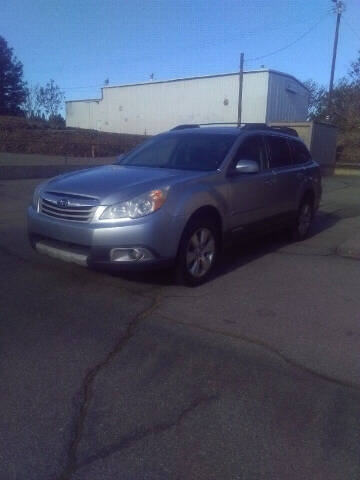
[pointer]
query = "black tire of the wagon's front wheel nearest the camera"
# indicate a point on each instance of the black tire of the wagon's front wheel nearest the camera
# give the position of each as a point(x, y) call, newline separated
point(185, 271)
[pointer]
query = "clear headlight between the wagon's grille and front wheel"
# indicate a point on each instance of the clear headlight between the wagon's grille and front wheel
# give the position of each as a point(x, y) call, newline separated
point(137, 207)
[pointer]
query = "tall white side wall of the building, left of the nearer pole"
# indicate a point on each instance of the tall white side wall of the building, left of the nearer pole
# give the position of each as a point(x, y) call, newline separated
point(156, 107)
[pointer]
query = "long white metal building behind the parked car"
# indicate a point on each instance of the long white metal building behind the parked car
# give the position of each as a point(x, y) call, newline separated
point(153, 107)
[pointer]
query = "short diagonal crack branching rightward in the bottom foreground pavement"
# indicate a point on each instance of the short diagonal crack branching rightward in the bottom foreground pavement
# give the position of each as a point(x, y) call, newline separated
point(128, 440)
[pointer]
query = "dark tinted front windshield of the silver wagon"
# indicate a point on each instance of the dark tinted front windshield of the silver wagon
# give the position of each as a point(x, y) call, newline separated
point(182, 152)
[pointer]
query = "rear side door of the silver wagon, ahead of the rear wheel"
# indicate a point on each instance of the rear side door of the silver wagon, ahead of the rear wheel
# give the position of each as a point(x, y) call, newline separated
point(287, 176)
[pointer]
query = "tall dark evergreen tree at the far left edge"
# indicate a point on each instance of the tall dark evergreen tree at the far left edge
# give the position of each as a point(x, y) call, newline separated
point(13, 89)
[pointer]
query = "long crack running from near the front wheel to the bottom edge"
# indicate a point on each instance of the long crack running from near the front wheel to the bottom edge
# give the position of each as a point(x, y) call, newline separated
point(87, 385)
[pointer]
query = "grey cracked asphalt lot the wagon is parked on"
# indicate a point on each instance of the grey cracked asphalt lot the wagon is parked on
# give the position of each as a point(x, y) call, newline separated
point(254, 375)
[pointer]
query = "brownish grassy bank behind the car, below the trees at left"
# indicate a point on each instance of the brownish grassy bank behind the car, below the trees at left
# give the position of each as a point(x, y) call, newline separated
point(20, 135)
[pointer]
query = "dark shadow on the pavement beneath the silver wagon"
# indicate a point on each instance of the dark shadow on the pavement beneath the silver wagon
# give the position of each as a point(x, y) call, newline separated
point(235, 255)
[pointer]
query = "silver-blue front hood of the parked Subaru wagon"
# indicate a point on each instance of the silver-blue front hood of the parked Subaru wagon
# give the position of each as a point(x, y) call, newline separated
point(116, 183)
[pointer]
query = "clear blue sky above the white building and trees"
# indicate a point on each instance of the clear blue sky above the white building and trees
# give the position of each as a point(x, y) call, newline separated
point(80, 43)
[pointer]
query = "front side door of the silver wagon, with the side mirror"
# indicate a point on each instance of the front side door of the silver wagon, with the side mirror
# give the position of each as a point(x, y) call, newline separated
point(252, 194)
